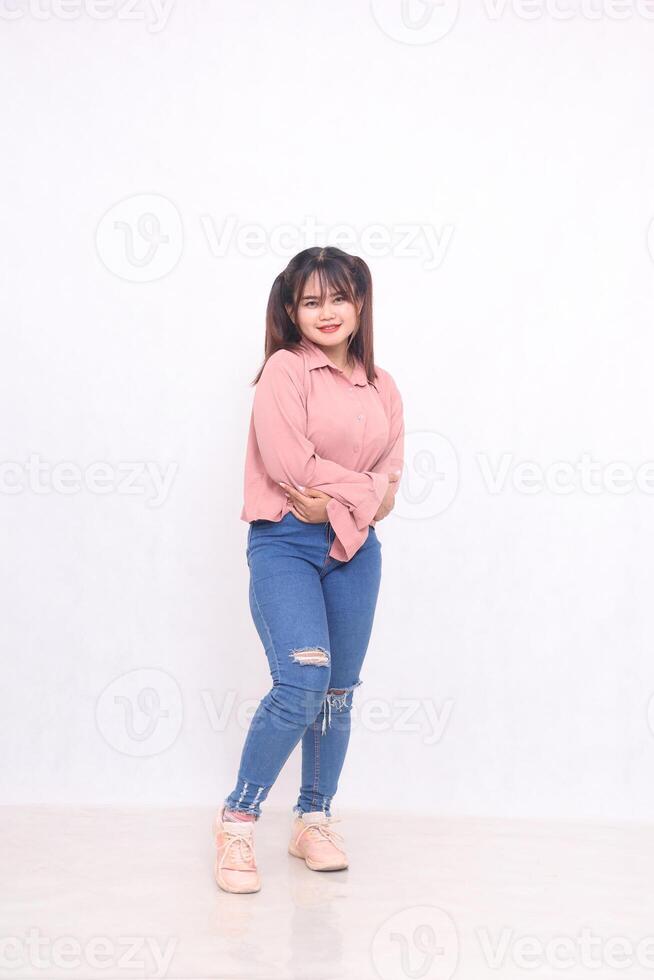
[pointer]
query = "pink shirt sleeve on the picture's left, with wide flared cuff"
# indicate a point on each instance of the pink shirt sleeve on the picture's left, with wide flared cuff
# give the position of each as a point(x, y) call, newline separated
point(280, 421)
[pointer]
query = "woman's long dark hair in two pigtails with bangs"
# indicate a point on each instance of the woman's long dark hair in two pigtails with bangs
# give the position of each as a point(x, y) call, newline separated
point(346, 274)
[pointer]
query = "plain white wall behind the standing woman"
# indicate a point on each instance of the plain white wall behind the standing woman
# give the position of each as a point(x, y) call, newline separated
point(517, 155)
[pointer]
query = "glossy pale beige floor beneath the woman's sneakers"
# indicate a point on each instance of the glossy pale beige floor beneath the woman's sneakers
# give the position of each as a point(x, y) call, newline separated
point(130, 893)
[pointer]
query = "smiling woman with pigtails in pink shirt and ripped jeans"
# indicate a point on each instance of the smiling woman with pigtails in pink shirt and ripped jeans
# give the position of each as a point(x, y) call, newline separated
point(323, 461)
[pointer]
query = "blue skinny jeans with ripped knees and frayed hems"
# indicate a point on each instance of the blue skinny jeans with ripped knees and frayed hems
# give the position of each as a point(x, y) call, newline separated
point(314, 615)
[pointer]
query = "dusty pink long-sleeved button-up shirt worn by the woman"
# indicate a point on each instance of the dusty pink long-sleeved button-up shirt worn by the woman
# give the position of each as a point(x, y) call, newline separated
point(311, 426)
